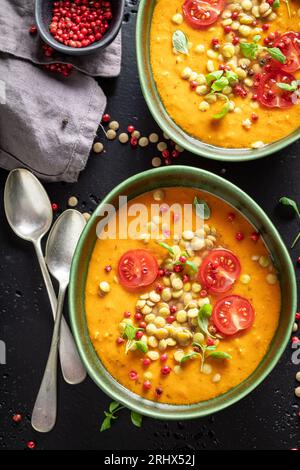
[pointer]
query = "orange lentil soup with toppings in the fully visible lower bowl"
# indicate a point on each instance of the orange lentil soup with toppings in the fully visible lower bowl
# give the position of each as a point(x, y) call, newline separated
point(203, 322)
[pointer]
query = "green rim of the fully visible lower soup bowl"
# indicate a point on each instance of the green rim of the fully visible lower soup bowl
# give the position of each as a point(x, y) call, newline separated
point(119, 395)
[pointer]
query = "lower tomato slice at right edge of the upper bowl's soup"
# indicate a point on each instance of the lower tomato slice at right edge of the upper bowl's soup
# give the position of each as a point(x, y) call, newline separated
point(269, 94)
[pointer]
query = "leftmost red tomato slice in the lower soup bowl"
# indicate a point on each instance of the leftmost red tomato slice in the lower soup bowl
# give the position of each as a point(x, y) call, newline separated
point(137, 268)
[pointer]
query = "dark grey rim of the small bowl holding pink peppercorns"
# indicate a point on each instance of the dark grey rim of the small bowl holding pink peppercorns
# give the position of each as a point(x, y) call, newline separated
point(73, 51)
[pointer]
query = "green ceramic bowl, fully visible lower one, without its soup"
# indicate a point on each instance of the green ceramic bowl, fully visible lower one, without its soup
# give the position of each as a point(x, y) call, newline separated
point(189, 177)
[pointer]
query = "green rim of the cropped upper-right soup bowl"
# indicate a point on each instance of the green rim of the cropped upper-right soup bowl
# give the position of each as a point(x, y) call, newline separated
point(182, 138)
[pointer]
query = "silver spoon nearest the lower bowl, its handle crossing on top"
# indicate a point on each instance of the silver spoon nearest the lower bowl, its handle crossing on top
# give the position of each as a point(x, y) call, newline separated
point(60, 248)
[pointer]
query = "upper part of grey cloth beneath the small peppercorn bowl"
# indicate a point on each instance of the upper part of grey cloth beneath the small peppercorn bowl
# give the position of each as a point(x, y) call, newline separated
point(16, 17)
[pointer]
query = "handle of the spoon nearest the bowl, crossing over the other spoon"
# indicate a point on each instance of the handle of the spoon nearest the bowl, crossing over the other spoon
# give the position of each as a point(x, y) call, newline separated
point(45, 409)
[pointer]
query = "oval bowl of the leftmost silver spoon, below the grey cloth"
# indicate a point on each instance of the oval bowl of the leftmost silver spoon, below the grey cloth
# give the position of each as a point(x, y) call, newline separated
point(27, 205)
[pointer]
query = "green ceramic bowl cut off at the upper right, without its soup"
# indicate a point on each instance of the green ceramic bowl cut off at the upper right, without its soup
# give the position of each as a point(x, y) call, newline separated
point(161, 116)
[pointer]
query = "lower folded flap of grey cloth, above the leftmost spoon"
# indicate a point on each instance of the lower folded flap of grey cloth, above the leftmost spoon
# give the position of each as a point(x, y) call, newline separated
point(47, 123)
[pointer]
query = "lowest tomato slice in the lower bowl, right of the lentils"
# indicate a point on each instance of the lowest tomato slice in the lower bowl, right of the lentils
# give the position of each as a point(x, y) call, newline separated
point(232, 314)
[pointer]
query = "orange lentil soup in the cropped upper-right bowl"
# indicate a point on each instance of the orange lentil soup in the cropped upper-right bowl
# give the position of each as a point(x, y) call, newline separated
point(231, 82)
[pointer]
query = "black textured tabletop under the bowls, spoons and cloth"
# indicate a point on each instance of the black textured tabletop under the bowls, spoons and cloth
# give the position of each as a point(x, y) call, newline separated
point(267, 419)
